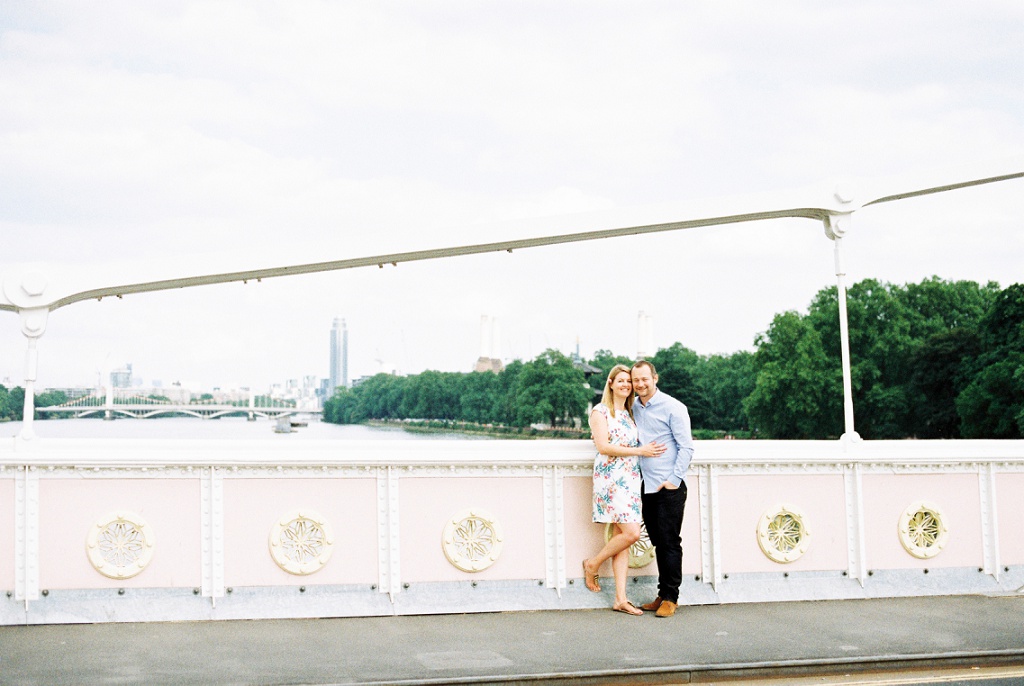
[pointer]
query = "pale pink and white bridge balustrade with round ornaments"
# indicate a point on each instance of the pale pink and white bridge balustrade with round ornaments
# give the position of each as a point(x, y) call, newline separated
point(122, 531)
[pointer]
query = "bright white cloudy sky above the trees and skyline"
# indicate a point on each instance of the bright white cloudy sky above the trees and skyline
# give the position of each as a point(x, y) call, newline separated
point(308, 132)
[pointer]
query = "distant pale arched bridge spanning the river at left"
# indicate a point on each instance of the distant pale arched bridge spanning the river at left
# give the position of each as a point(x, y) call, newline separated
point(126, 403)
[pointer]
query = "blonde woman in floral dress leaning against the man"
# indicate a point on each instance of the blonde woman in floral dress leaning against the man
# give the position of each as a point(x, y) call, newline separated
point(617, 482)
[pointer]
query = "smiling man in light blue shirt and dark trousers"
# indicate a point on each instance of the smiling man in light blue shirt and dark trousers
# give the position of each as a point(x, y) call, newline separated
point(664, 420)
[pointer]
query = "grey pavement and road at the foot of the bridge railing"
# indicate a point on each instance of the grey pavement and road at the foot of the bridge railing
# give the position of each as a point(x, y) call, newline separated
point(701, 644)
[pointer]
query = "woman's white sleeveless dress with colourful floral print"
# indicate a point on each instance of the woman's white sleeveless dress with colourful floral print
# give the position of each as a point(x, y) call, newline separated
point(617, 481)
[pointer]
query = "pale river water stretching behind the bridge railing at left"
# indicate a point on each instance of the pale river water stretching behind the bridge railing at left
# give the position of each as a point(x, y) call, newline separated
point(227, 428)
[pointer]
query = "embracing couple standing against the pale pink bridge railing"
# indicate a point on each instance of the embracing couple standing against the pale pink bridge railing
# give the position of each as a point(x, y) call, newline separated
point(645, 449)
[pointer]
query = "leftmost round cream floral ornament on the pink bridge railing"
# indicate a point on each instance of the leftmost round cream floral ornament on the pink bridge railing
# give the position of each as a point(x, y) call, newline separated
point(120, 545)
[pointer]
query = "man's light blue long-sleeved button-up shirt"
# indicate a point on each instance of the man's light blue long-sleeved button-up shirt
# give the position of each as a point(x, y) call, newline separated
point(664, 420)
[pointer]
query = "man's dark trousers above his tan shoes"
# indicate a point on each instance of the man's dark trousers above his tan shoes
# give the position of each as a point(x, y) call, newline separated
point(663, 516)
